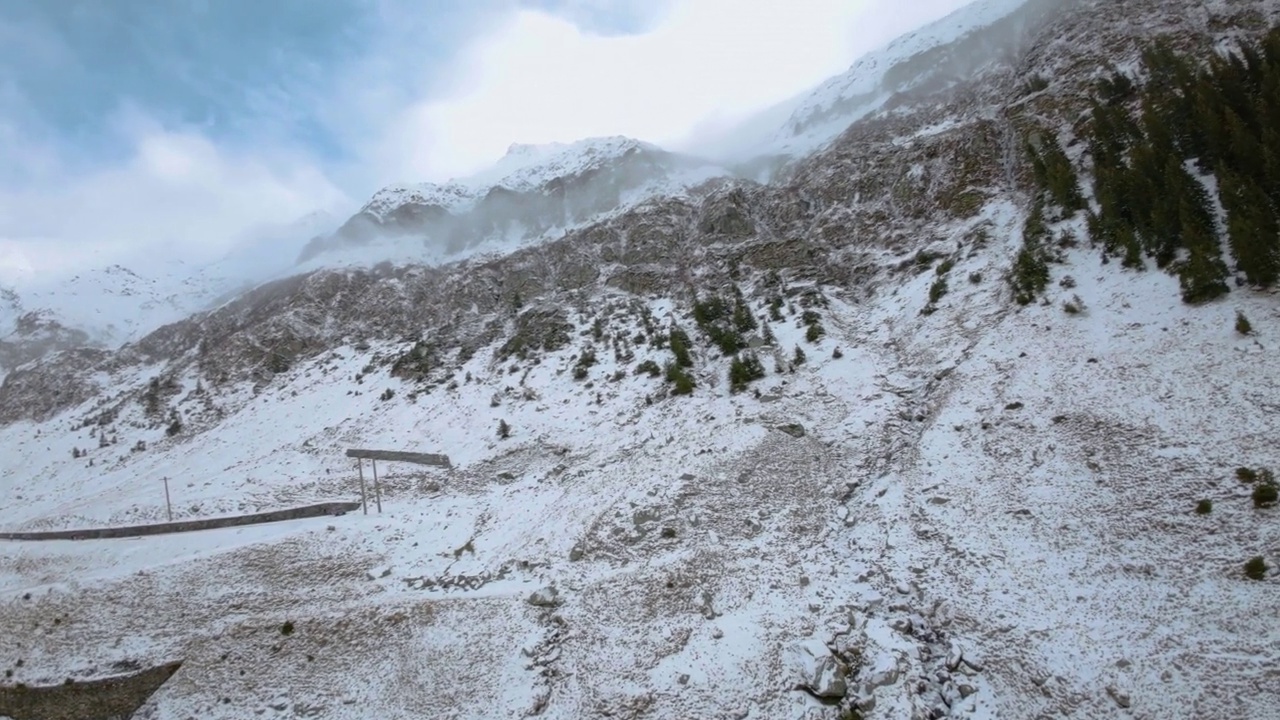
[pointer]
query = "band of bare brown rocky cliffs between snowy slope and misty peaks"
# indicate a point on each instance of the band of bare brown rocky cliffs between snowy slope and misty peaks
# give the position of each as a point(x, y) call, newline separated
point(834, 218)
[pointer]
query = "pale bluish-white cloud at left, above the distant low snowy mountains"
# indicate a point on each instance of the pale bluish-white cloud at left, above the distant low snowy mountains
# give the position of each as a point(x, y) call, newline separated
point(176, 197)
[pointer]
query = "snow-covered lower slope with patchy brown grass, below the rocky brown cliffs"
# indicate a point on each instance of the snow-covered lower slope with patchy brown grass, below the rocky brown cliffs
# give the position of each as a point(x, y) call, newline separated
point(1013, 487)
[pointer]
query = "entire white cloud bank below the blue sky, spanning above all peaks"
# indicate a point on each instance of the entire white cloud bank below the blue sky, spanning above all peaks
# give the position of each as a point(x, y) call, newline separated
point(525, 76)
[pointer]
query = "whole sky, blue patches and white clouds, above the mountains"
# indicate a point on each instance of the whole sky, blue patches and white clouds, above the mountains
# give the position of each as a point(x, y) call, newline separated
point(143, 130)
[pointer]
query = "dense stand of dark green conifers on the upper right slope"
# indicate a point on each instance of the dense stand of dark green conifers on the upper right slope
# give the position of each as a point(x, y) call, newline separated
point(1163, 152)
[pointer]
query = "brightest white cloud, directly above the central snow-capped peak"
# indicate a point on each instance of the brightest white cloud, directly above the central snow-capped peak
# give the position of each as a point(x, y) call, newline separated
point(541, 79)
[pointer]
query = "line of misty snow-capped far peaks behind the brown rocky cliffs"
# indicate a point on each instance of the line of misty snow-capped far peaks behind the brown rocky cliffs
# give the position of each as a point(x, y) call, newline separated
point(523, 198)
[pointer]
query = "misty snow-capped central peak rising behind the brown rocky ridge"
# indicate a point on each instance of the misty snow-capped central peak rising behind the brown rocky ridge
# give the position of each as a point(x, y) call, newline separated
point(534, 193)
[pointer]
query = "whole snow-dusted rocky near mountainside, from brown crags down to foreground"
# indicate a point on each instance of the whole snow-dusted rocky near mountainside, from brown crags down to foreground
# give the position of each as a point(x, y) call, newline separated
point(784, 450)
